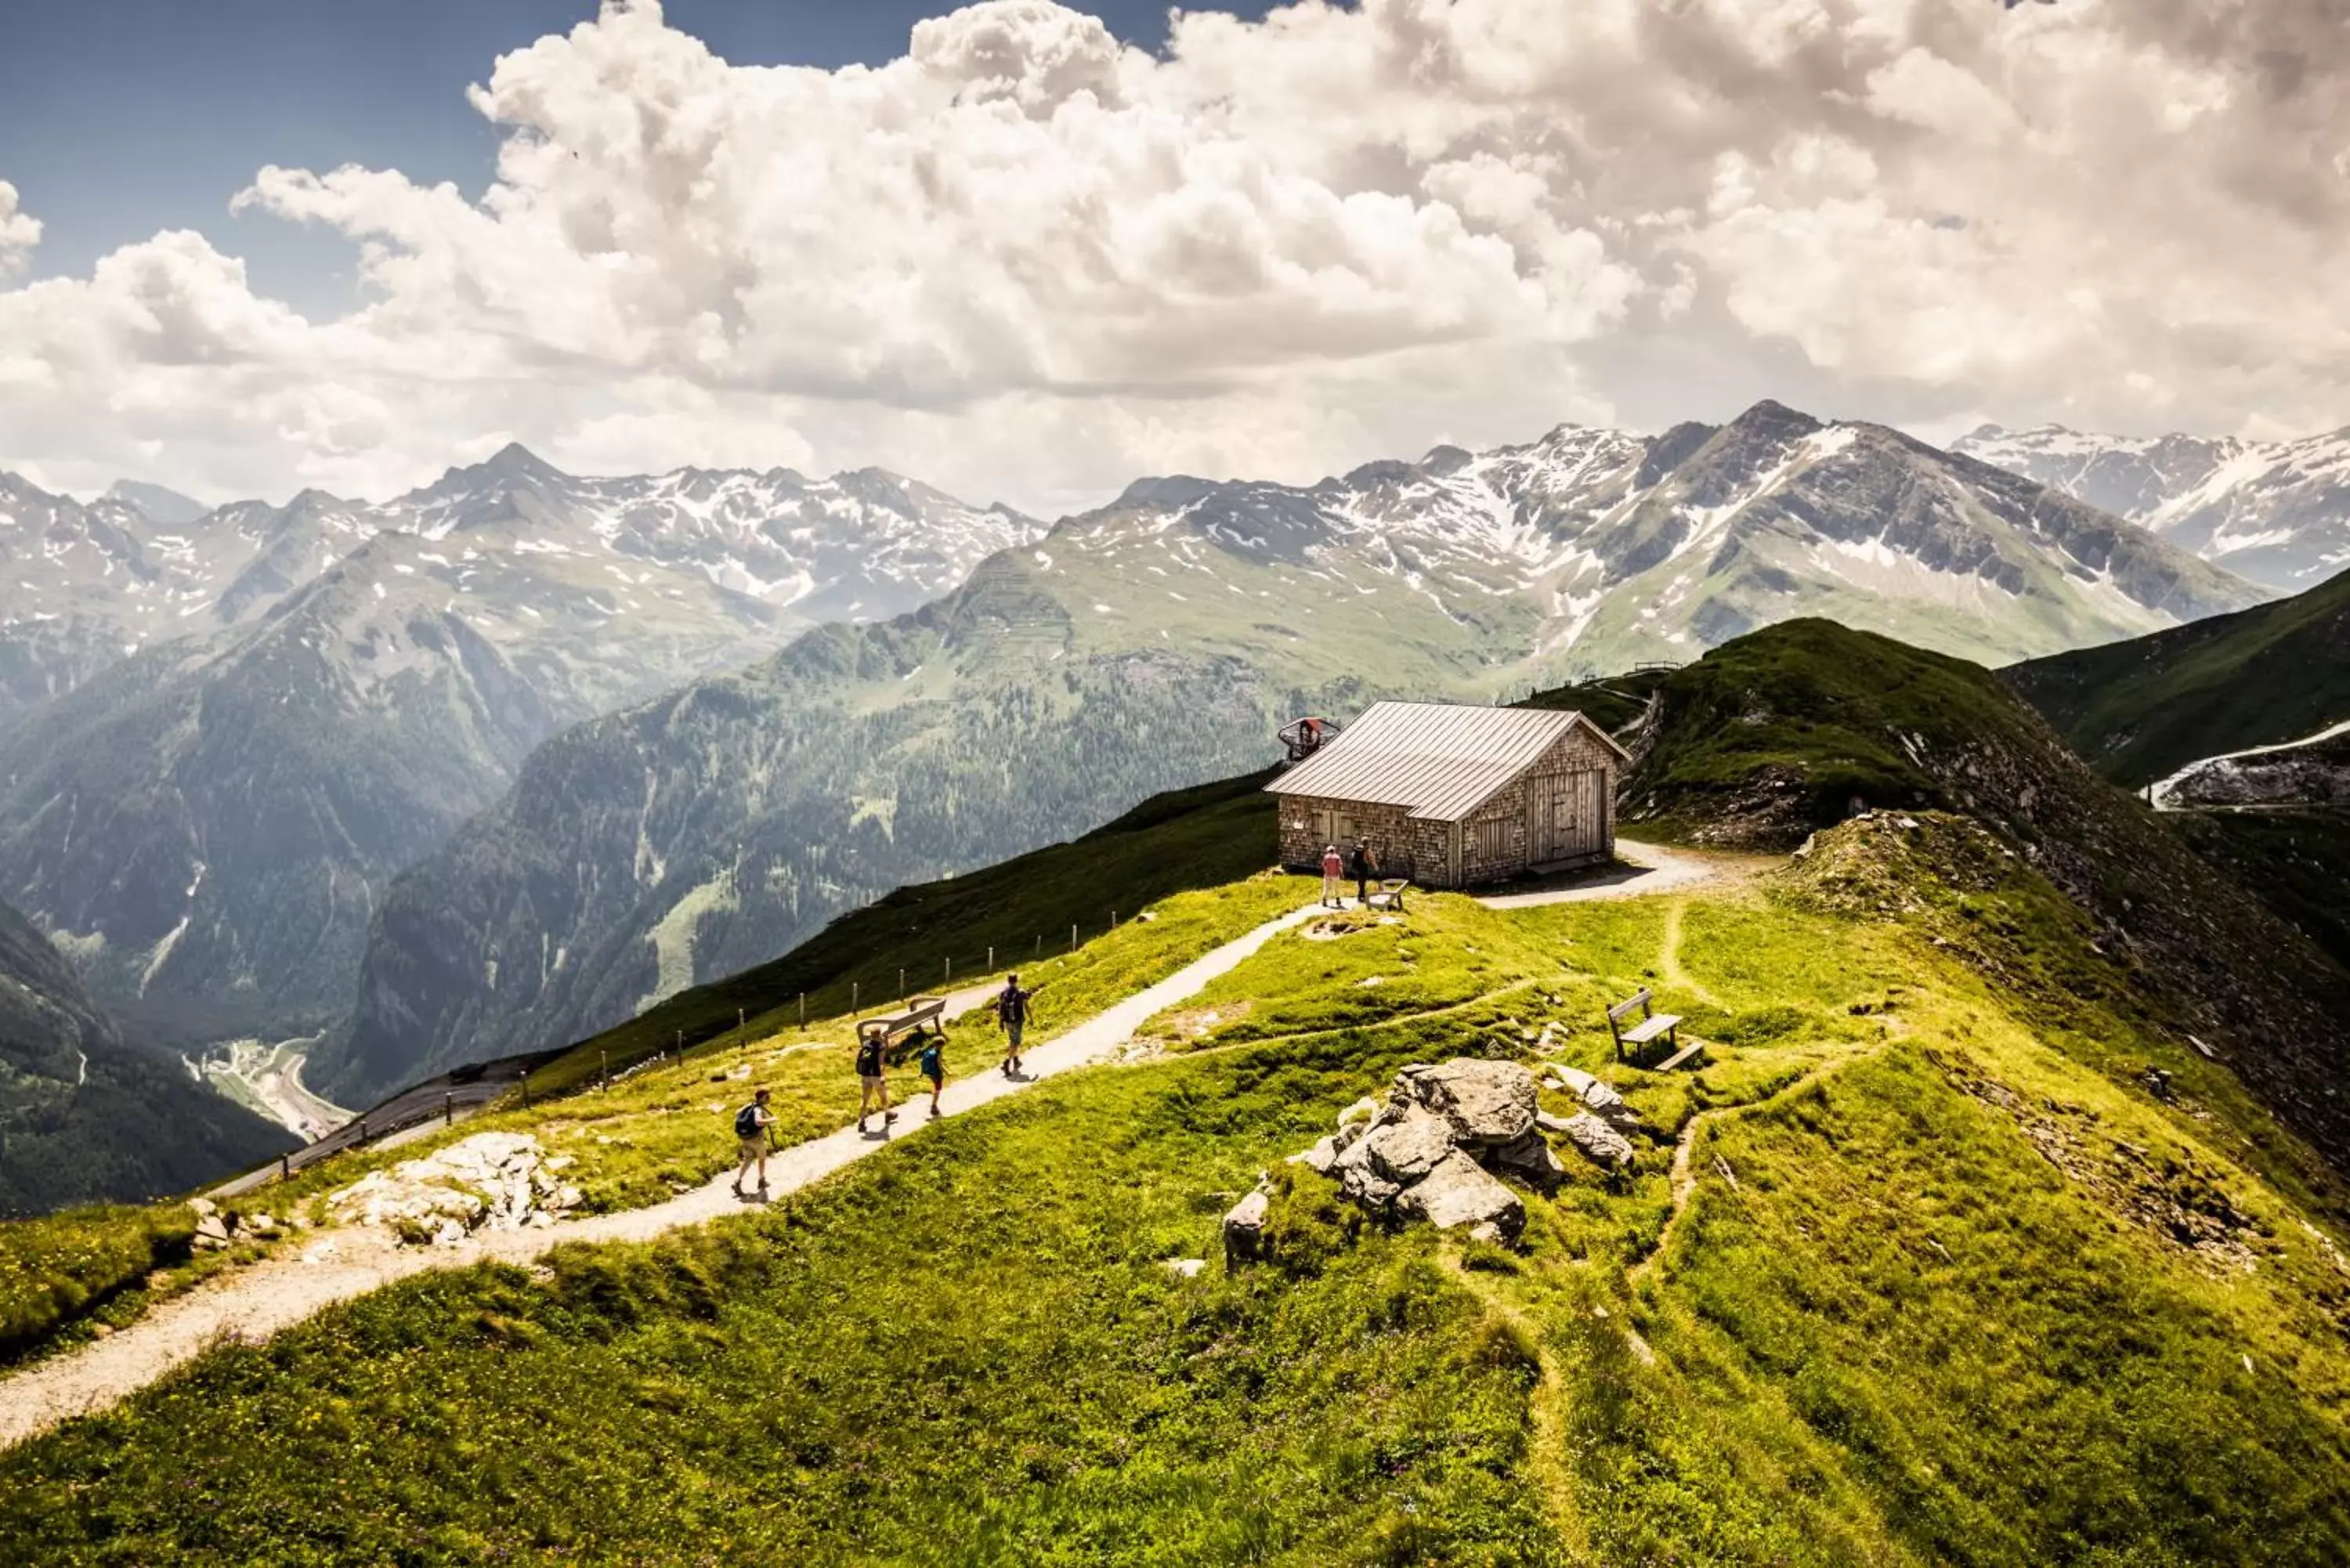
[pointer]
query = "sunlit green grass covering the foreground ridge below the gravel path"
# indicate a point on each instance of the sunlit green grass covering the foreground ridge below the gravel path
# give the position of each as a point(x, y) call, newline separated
point(1952, 1287)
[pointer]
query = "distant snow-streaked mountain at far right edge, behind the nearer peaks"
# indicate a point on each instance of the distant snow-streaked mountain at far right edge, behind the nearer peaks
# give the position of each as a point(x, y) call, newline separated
point(2269, 511)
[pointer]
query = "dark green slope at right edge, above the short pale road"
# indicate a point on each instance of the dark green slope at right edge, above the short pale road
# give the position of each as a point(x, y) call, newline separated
point(2147, 709)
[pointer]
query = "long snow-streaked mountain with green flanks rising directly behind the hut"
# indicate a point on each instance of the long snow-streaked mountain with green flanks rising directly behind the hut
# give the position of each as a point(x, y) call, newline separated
point(1157, 643)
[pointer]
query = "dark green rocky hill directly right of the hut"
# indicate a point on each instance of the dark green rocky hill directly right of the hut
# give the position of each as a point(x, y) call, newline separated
point(1785, 732)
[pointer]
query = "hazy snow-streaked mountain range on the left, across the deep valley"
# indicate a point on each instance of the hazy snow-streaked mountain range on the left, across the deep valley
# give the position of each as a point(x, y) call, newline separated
point(278, 709)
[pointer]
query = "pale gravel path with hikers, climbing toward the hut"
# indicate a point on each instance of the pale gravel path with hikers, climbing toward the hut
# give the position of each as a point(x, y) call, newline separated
point(344, 1264)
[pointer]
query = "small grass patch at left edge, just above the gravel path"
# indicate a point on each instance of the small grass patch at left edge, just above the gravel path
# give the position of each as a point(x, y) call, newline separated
point(62, 1268)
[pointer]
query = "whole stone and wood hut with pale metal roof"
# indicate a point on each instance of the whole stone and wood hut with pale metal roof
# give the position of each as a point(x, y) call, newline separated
point(1456, 796)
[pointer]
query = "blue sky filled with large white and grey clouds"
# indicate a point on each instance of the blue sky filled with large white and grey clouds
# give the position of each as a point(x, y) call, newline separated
point(1030, 253)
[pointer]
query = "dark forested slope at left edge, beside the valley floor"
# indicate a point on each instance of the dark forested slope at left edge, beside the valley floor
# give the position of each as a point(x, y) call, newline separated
point(86, 1115)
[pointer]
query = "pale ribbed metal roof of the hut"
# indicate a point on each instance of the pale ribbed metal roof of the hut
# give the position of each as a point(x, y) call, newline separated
point(1437, 760)
